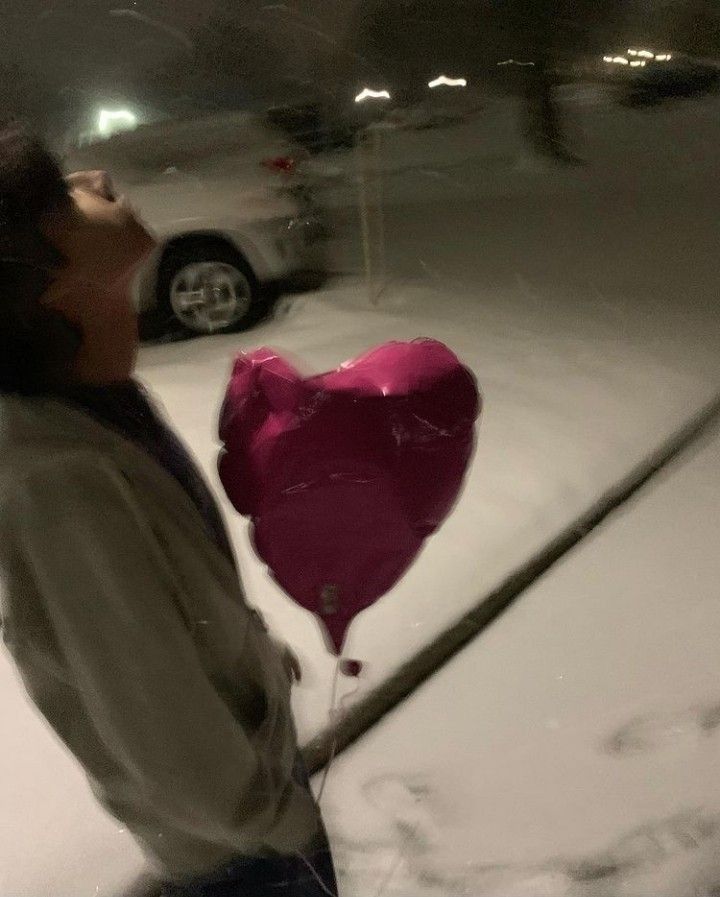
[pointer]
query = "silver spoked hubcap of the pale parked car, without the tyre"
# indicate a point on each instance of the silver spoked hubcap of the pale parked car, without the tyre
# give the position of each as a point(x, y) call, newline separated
point(210, 296)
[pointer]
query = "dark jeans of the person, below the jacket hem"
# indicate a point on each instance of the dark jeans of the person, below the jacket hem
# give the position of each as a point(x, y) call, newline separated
point(281, 876)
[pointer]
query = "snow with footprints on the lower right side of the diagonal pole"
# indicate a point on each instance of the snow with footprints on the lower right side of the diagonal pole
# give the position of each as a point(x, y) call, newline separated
point(573, 749)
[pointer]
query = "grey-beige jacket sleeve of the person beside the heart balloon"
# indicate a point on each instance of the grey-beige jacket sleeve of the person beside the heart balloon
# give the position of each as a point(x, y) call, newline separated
point(109, 595)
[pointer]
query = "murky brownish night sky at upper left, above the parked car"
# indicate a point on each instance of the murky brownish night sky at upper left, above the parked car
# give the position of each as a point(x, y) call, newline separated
point(73, 55)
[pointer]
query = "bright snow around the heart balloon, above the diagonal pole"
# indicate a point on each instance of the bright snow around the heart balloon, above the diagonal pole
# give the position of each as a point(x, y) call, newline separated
point(572, 404)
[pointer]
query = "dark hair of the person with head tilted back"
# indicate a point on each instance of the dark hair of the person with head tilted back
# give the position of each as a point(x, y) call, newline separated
point(37, 344)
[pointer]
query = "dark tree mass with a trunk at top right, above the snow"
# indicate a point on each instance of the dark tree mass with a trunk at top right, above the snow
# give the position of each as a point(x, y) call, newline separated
point(411, 39)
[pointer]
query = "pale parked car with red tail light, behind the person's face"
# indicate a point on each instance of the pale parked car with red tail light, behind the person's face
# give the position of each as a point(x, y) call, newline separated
point(232, 209)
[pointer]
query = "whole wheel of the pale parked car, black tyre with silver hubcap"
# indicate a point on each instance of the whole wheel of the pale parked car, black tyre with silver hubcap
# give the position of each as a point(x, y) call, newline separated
point(208, 288)
